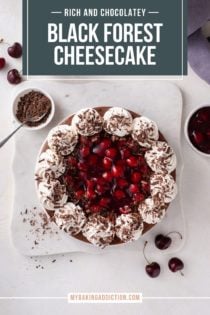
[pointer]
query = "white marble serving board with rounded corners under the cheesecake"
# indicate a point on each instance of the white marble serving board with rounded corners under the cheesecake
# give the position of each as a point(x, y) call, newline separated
point(160, 101)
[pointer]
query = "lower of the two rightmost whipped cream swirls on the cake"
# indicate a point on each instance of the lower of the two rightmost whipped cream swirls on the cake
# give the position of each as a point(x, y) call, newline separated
point(163, 186)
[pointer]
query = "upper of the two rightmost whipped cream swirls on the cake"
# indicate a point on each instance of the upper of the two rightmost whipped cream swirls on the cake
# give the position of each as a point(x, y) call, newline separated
point(161, 157)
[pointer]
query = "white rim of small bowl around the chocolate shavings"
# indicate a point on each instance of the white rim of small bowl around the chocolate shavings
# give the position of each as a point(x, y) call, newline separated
point(24, 92)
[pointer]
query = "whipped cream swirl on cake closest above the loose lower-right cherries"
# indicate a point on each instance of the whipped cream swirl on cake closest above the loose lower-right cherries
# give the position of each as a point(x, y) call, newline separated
point(152, 211)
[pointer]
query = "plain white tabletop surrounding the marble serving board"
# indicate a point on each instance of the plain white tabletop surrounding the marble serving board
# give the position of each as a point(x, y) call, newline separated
point(114, 272)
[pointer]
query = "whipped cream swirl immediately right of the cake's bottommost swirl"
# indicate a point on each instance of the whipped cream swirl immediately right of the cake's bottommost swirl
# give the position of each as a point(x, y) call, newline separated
point(129, 227)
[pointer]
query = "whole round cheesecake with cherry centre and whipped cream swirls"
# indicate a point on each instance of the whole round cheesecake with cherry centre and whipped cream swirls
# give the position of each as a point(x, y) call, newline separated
point(106, 175)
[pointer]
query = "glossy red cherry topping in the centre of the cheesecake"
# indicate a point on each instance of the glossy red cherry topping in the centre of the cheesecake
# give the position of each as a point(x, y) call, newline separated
point(107, 174)
